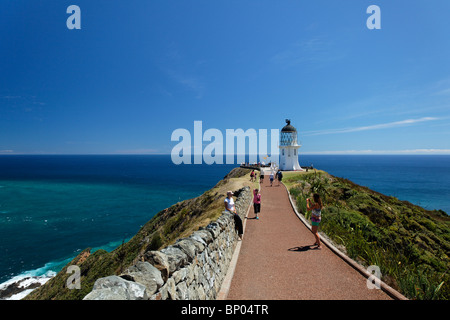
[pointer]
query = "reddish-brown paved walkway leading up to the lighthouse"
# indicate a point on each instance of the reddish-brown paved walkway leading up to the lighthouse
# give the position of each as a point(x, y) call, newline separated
point(277, 262)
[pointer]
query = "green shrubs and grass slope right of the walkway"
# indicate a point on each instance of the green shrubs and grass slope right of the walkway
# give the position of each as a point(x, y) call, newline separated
point(408, 243)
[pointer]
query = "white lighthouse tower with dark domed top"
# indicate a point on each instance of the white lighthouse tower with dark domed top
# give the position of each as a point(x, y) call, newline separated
point(289, 148)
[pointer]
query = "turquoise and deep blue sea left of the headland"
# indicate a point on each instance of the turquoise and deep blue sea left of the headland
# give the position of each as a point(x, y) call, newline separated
point(52, 207)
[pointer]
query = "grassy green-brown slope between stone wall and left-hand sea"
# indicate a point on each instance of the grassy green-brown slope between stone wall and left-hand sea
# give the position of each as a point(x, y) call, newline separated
point(163, 229)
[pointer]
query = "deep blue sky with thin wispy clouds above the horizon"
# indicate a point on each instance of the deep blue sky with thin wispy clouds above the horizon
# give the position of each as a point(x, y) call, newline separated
point(138, 70)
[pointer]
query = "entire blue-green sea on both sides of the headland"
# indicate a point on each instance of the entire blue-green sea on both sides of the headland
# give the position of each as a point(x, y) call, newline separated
point(52, 207)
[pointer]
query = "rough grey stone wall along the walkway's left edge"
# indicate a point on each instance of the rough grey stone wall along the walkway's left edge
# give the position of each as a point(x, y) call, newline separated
point(191, 269)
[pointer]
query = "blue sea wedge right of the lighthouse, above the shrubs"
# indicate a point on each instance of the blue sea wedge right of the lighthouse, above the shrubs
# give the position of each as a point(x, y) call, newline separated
point(420, 179)
